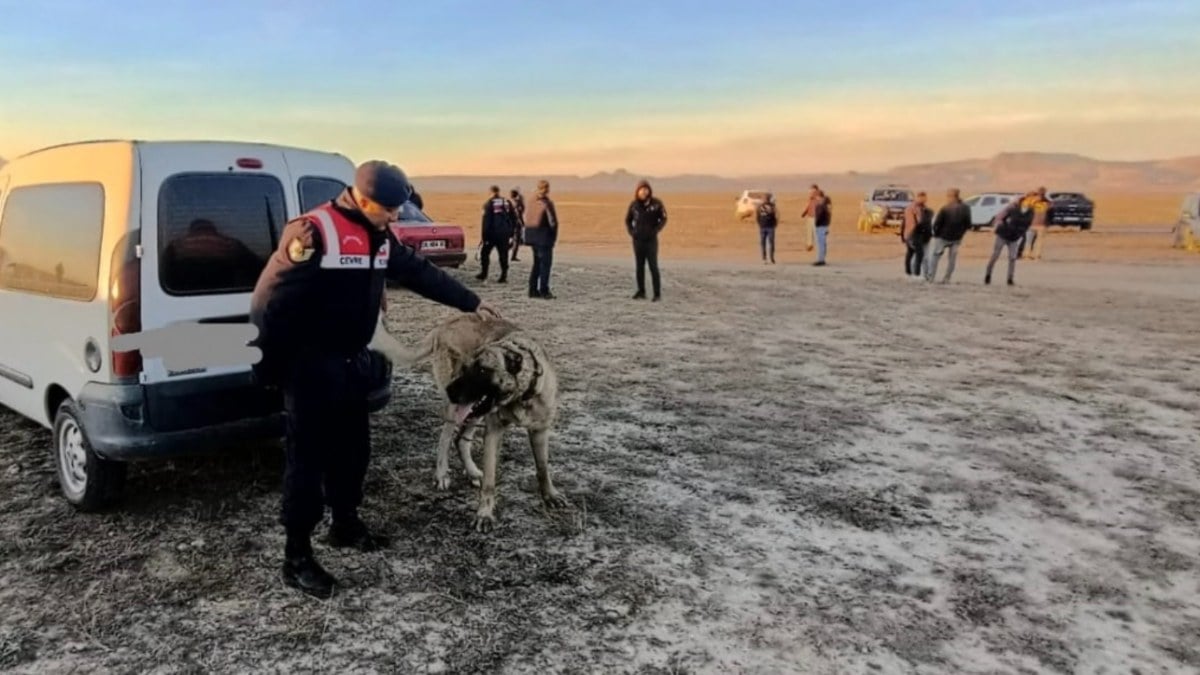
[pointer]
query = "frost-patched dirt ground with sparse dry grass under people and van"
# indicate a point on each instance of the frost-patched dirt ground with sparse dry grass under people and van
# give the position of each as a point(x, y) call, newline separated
point(777, 470)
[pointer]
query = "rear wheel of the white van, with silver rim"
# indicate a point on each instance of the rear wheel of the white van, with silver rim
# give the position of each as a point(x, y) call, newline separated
point(88, 482)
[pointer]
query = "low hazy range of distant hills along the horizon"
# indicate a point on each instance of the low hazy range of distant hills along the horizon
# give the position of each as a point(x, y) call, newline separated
point(1006, 171)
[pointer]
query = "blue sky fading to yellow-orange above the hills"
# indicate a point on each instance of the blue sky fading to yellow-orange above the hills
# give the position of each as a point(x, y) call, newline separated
point(670, 87)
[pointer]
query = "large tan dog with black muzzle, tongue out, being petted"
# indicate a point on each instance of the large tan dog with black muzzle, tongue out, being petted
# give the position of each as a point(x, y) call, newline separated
point(495, 377)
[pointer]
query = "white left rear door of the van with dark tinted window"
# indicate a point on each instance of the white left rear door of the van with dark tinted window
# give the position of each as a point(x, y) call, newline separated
point(212, 217)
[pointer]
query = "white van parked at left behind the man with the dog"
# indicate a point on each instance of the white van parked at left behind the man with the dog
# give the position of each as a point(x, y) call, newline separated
point(117, 237)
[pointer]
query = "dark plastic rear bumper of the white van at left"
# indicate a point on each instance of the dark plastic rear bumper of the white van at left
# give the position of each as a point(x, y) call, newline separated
point(134, 422)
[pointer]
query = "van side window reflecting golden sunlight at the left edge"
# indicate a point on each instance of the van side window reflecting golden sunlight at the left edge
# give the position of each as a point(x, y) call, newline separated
point(50, 240)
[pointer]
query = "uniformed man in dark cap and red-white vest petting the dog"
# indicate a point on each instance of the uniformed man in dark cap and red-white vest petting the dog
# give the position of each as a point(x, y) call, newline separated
point(316, 307)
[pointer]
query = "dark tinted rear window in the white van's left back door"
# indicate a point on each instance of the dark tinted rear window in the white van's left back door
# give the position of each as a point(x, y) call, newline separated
point(217, 231)
